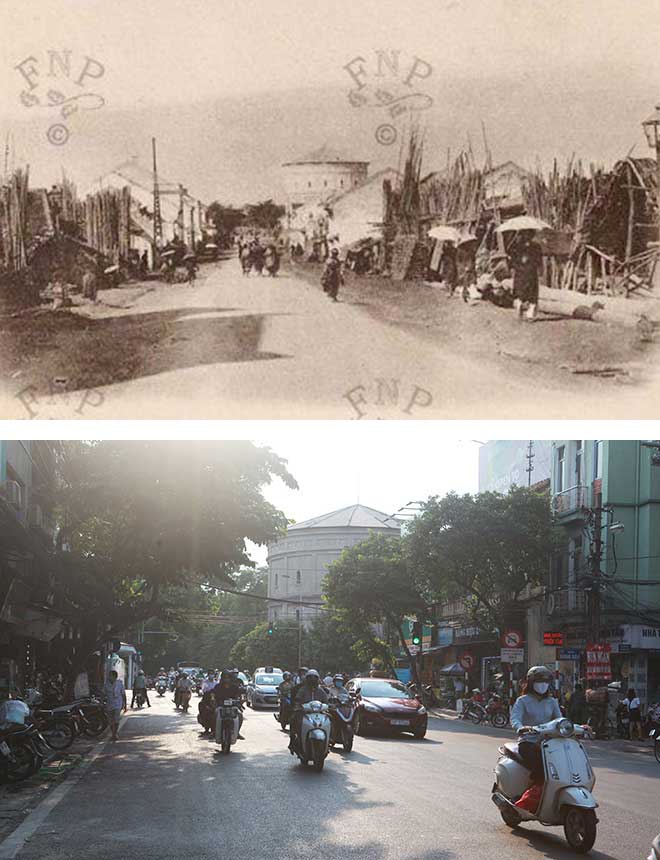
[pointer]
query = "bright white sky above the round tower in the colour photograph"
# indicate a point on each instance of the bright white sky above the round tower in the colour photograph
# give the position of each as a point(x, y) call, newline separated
point(335, 470)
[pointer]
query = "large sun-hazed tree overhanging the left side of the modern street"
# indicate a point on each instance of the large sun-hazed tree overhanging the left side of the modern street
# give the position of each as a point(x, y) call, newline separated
point(141, 519)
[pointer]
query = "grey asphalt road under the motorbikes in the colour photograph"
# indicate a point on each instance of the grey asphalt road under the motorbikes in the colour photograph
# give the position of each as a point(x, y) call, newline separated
point(163, 792)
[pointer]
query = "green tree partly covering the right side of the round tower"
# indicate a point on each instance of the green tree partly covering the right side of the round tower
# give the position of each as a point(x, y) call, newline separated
point(371, 584)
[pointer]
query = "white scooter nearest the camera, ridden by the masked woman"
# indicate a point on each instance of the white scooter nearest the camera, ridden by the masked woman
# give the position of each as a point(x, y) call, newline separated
point(569, 780)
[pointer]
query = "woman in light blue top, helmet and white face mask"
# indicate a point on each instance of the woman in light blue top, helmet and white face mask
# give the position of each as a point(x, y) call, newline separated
point(537, 705)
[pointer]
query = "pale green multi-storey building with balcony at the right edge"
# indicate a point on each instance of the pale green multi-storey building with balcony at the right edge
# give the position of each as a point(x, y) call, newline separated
point(605, 582)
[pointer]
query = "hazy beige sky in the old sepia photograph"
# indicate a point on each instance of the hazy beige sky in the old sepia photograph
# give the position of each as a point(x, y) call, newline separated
point(547, 78)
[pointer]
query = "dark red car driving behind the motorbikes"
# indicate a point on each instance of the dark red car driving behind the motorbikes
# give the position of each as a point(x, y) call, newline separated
point(385, 704)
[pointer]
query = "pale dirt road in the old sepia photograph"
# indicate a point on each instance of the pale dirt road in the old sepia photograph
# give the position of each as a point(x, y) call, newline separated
point(302, 356)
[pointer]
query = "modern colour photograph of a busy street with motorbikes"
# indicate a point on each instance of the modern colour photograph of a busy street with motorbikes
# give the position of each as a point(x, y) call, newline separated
point(276, 647)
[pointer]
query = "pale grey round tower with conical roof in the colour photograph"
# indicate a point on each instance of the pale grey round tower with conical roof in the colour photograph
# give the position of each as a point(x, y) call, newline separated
point(298, 563)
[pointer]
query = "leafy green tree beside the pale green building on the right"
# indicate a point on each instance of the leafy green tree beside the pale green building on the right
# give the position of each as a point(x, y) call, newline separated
point(486, 550)
